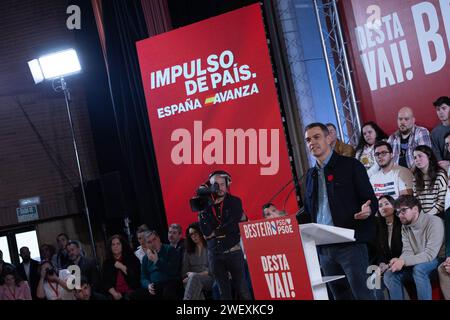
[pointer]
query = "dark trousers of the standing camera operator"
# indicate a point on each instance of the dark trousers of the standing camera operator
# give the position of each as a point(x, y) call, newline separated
point(232, 262)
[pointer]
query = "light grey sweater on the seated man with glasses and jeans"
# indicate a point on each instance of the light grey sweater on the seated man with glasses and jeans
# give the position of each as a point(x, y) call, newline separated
point(422, 240)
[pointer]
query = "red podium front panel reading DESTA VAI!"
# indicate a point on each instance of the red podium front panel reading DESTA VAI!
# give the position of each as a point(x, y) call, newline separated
point(275, 259)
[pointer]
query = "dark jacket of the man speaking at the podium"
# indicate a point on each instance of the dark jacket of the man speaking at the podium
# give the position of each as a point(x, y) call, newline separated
point(348, 188)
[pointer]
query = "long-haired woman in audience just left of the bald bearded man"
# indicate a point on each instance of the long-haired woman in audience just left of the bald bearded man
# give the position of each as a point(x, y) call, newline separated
point(371, 133)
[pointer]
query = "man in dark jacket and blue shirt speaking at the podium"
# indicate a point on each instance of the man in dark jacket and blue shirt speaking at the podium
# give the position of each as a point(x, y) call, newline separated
point(338, 193)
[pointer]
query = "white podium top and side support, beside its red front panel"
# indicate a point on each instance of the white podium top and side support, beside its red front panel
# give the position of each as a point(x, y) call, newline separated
point(312, 235)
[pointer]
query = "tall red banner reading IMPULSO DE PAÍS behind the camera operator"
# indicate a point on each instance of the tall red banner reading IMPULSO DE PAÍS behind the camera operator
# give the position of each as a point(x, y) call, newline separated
point(212, 105)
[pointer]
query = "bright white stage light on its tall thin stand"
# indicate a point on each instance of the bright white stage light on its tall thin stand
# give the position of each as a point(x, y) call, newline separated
point(55, 67)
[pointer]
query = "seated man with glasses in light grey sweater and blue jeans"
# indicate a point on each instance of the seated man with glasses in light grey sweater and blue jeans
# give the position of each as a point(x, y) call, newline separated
point(422, 237)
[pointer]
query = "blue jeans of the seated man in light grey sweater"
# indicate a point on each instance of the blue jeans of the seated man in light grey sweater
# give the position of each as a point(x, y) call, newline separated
point(420, 274)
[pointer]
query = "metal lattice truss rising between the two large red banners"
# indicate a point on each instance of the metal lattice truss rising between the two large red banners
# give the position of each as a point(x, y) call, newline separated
point(338, 70)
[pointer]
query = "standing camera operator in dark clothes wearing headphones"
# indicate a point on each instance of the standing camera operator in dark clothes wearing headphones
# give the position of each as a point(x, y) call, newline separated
point(219, 222)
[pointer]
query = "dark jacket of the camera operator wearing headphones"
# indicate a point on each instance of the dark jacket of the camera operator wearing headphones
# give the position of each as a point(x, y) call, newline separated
point(227, 232)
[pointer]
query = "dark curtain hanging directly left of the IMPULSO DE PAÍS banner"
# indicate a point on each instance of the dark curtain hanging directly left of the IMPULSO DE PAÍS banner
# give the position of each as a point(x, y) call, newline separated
point(124, 24)
